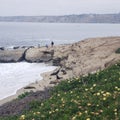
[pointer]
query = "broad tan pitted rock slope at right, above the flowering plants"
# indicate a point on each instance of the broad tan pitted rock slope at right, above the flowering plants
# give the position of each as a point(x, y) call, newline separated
point(89, 55)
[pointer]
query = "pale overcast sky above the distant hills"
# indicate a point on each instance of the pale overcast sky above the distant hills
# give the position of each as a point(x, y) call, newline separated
point(57, 7)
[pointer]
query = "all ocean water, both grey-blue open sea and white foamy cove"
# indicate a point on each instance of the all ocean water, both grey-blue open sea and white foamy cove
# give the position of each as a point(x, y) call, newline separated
point(14, 76)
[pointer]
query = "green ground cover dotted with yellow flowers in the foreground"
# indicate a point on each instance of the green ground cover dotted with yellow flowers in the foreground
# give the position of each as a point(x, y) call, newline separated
point(93, 97)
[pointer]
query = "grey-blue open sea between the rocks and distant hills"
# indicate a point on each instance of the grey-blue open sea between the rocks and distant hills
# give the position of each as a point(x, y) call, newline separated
point(27, 34)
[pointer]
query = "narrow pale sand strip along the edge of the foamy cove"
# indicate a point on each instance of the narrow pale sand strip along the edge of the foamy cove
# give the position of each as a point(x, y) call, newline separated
point(37, 86)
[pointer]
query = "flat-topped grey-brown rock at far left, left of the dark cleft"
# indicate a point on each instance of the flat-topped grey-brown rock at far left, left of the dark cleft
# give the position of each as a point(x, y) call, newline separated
point(11, 55)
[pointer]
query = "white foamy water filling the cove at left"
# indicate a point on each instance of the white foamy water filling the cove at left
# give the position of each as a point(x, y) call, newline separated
point(14, 76)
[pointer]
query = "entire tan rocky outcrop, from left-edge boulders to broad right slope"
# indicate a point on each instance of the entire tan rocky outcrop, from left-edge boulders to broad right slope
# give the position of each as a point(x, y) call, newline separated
point(79, 58)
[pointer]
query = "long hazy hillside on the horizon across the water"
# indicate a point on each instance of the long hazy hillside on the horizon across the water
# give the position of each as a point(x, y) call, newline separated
point(83, 18)
